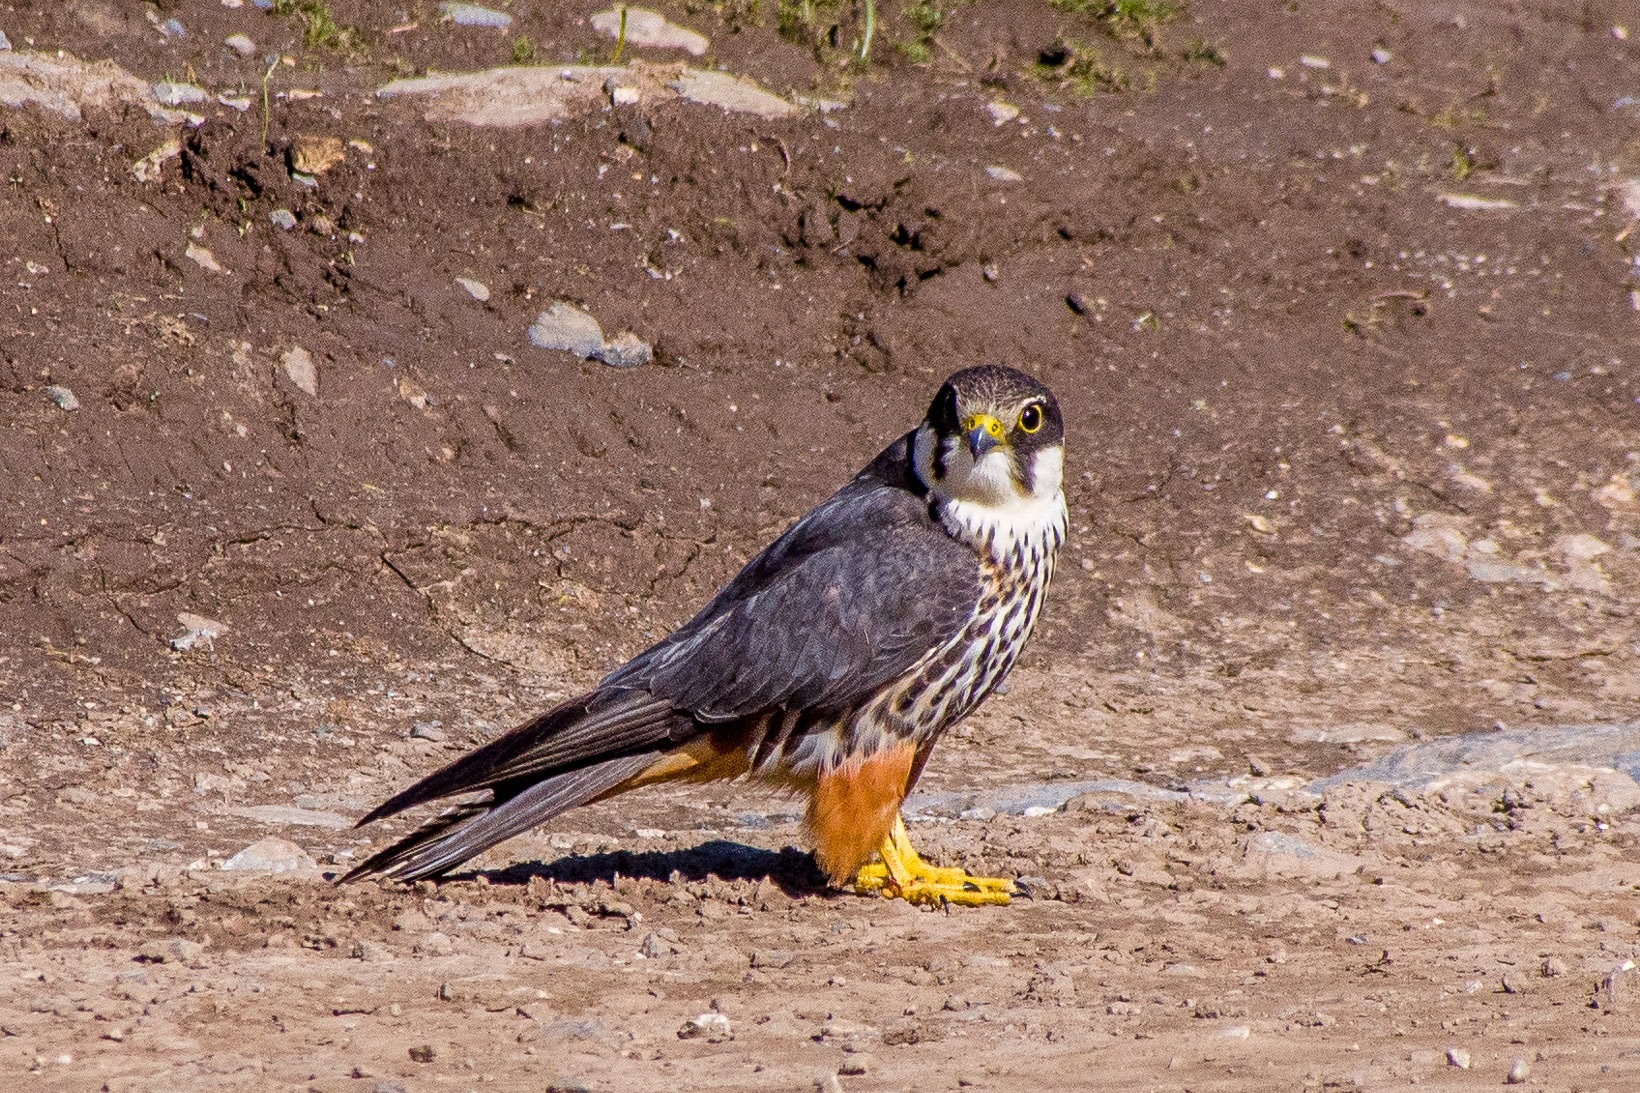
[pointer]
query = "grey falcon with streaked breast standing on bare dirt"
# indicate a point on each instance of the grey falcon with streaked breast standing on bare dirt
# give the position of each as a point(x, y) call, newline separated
point(827, 669)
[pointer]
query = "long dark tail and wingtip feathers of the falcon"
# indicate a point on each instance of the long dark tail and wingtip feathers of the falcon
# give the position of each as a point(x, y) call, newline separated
point(568, 756)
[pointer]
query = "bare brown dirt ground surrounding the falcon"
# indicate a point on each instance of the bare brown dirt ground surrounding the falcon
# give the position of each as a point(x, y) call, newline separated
point(1344, 308)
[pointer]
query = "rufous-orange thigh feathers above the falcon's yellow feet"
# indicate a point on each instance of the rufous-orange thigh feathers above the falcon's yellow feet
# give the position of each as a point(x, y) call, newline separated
point(854, 810)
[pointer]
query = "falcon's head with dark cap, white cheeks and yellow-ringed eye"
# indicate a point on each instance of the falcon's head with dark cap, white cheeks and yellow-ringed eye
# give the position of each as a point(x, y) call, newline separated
point(993, 437)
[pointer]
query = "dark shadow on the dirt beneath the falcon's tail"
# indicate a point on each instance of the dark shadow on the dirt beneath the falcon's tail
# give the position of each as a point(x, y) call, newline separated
point(791, 871)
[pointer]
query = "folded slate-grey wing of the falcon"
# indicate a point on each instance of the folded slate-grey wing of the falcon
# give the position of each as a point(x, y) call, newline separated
point(850, 598)
